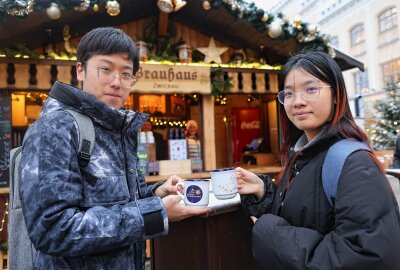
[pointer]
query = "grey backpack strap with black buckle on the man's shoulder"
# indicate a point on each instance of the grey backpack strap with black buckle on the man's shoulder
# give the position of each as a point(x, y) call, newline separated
point(86, 137)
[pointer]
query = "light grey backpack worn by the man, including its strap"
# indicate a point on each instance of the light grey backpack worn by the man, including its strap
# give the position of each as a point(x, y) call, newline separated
point(22, 253)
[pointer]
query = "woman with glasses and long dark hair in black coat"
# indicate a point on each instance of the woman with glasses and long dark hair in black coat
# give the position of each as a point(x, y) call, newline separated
point(297, 228)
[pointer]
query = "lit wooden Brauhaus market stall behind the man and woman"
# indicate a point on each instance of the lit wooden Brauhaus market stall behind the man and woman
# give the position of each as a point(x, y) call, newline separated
point(175, 86)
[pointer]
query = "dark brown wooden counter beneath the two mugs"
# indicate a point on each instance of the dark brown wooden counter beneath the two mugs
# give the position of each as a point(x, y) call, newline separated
point(218, 240)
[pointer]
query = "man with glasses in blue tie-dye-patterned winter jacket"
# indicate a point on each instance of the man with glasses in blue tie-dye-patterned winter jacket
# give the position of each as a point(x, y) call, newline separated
point(96, 217)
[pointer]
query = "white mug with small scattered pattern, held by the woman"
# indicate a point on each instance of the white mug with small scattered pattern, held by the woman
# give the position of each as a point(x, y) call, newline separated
point(224, 183)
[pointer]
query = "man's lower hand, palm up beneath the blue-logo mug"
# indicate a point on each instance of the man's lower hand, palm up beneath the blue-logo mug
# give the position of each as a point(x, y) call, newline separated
point(176, 211)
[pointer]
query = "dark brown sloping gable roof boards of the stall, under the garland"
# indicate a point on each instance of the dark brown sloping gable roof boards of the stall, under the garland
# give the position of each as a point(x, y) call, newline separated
point(237, 33)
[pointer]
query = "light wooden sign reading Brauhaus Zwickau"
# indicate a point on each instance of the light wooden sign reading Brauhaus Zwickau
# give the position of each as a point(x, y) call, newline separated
point(164, 79)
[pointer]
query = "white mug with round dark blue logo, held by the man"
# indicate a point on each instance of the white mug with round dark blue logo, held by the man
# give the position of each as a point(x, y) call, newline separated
point(196, 192)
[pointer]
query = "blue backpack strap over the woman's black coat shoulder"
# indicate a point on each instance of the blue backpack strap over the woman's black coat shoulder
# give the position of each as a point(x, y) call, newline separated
point(334, 162)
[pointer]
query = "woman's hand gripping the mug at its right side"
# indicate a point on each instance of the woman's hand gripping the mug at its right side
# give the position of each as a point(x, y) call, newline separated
point(249, 183)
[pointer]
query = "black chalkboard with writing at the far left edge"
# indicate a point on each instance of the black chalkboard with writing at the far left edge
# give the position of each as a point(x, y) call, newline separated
point(5, 138)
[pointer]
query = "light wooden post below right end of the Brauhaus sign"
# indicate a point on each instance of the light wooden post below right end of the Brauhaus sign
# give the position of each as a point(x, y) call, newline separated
point(208, 131)
